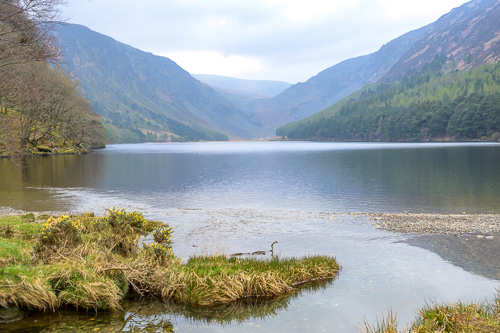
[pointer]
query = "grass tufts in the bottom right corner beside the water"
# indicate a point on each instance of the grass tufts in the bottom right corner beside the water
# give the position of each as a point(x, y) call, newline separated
point(458, 317)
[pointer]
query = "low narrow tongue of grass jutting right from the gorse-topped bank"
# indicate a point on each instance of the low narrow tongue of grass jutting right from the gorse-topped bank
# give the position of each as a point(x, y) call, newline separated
point(216, 280)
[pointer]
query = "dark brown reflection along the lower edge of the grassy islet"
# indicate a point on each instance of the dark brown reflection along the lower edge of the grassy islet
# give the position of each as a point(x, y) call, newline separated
point(154, 316)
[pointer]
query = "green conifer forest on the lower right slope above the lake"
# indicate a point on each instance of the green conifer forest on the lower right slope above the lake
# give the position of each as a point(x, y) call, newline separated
point(458, 105)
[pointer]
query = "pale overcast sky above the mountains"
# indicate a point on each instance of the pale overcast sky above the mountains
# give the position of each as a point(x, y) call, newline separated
point(284, 40)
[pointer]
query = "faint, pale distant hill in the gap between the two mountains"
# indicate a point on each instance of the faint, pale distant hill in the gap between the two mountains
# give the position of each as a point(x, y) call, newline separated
point(245, 88)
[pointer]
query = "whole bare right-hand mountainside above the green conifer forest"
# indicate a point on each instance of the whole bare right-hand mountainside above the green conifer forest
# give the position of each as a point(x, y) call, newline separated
point(467, 36)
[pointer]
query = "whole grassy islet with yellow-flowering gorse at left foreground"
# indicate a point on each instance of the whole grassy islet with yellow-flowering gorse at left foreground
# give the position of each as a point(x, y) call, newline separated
point(93, 263)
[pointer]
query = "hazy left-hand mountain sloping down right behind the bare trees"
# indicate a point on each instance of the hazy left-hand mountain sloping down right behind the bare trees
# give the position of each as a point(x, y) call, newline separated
point(132, 90)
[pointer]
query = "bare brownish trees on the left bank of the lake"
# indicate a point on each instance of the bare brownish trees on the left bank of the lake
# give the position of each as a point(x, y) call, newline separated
point(40, 107)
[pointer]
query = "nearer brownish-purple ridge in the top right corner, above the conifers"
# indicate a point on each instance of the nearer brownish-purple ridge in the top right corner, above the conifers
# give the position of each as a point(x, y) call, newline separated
point(469, 36)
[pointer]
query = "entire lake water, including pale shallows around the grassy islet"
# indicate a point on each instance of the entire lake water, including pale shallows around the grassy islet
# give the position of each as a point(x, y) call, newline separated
point(240, 197)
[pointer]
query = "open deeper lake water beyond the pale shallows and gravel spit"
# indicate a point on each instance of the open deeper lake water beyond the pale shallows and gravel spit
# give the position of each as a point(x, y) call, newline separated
point(293, 175)
